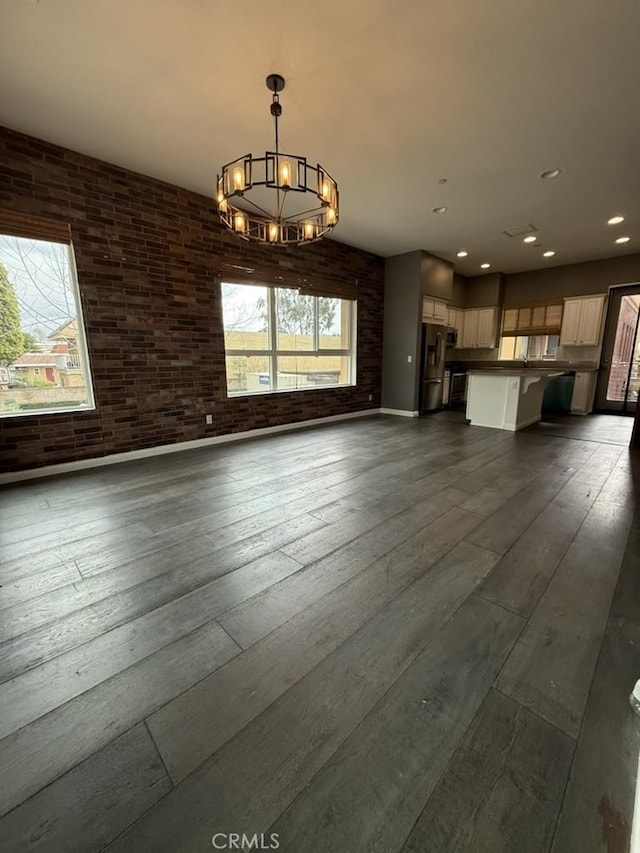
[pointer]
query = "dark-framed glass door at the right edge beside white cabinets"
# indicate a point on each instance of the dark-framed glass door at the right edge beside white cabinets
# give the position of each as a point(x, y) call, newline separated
point(619, 376)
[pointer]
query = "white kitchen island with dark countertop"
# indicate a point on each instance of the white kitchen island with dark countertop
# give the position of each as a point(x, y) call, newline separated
point(506, 398)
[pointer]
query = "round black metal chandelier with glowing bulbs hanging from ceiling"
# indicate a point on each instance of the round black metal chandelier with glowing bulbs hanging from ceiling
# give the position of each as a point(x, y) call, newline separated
point(279, 198)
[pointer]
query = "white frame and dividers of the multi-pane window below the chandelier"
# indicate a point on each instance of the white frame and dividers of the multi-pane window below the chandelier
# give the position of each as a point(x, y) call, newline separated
point(272, 353)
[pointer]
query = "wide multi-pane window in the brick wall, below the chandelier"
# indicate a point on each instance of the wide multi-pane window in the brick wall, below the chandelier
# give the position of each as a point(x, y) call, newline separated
point(277, 339)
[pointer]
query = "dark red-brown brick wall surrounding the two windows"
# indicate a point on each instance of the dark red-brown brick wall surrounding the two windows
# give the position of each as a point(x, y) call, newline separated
point(147, 254)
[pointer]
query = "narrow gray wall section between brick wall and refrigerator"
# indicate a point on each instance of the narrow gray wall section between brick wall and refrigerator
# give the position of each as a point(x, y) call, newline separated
point(402, 327)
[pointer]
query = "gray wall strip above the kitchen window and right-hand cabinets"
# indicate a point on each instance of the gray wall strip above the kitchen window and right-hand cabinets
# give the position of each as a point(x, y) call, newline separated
point(571, 280)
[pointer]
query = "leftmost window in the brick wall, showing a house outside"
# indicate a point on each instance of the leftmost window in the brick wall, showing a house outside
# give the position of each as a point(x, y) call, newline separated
point(43, 359)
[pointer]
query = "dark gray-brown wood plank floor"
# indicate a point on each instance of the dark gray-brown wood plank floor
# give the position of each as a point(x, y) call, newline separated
point(382, 635)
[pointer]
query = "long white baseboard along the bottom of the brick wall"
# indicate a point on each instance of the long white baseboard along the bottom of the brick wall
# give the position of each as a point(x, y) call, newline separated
point(160, 450)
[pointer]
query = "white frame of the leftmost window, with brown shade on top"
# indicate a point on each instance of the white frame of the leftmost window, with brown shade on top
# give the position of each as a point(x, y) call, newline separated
point(39, 233)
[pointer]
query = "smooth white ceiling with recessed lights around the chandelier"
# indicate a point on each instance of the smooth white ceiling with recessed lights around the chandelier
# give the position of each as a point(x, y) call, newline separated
point(389, 95)
